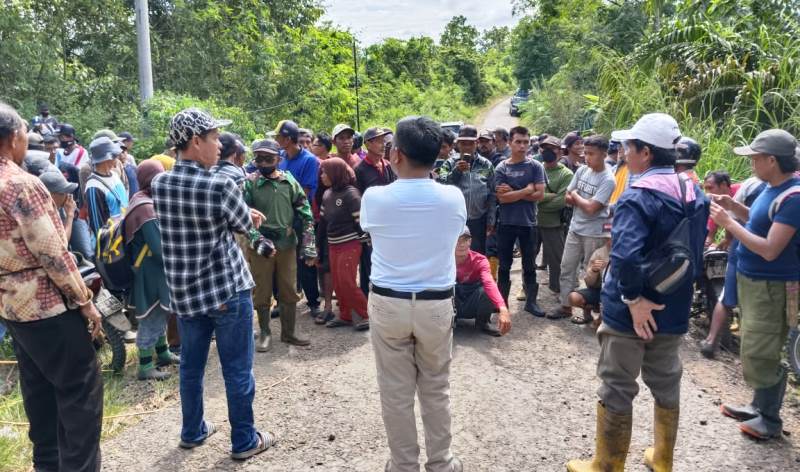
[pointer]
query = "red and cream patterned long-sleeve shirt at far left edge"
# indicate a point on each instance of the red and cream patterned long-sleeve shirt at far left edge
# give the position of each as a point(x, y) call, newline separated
point(36, 268)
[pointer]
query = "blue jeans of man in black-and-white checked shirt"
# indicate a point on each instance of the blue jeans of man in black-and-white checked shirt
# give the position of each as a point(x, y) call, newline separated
point(233, 325)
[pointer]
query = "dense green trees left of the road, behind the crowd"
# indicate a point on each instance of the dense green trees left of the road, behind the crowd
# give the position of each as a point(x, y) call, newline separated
point(255, 61)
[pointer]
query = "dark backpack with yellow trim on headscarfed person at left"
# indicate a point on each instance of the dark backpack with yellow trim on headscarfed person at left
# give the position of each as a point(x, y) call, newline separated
point(113, 261)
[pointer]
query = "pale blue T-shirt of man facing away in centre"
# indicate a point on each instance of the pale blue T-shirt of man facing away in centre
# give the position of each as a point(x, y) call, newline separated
point(414, 225)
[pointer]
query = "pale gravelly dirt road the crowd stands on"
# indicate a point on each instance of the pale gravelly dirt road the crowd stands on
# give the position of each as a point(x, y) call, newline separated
point(525, 402)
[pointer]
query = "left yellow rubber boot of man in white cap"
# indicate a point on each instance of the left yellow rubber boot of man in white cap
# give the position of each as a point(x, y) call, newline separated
point(612, 442)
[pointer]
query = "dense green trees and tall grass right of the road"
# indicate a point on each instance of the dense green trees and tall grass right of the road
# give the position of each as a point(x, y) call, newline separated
point(727, 69)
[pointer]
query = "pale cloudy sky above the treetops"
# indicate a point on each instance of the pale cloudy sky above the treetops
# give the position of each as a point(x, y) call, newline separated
point(374, 20)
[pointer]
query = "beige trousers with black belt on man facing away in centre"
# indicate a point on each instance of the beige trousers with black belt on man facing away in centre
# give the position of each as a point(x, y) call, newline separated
point(413, 343)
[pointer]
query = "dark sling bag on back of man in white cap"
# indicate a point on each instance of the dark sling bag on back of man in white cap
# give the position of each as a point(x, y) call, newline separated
point(670, 265)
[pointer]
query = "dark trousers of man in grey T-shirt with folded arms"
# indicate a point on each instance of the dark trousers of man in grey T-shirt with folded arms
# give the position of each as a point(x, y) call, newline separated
point(507, 236)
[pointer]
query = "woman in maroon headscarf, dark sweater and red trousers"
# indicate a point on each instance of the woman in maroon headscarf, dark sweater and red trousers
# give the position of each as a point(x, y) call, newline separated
point(339, 212)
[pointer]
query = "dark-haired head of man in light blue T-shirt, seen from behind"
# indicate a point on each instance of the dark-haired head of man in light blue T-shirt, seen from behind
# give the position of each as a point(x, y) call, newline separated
point(420, 139)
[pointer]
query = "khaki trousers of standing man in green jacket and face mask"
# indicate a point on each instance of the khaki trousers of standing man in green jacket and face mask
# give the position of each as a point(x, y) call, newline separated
point(281, 268)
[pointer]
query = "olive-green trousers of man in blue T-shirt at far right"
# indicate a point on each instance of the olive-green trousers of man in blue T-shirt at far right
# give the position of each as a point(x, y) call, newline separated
point(763, 329)
